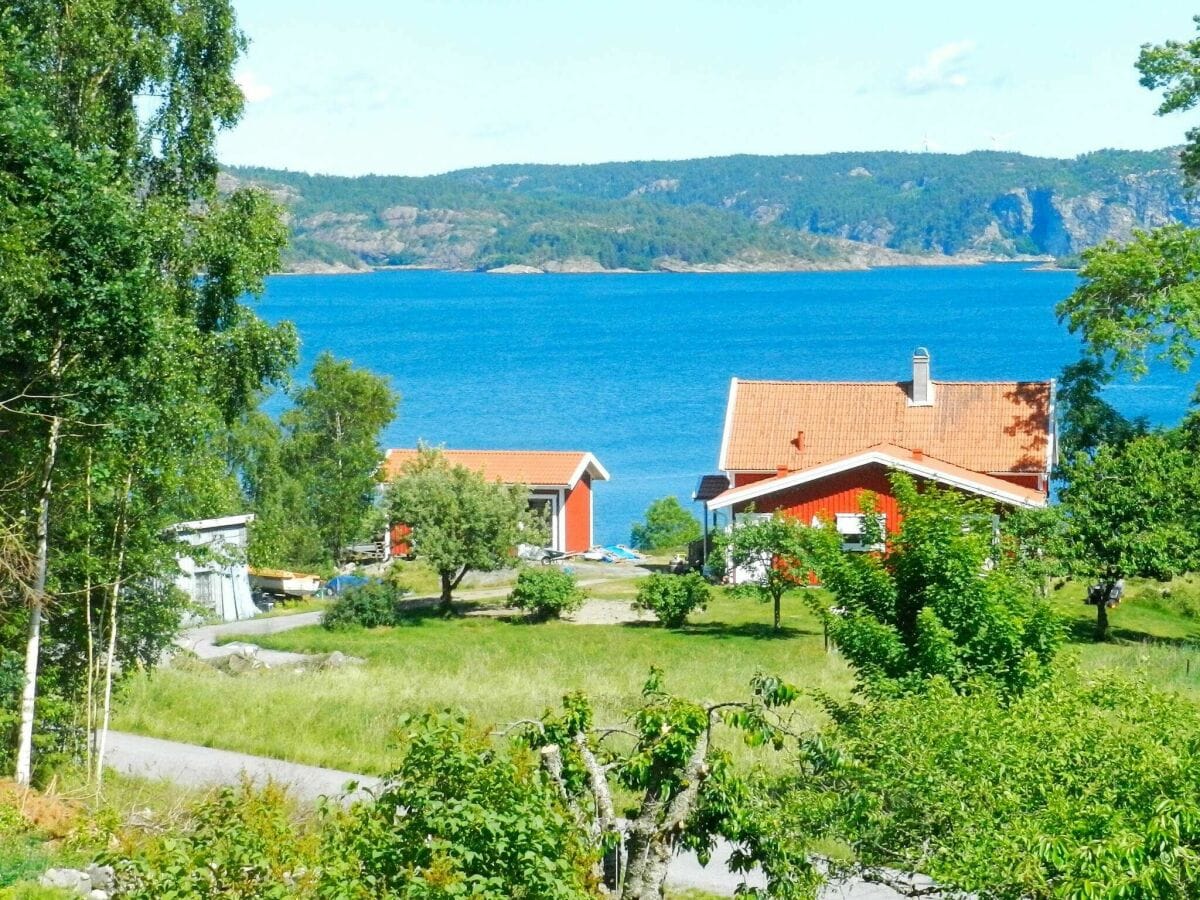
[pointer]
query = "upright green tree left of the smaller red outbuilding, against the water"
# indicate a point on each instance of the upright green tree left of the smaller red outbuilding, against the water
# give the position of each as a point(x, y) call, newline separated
point(332, 443)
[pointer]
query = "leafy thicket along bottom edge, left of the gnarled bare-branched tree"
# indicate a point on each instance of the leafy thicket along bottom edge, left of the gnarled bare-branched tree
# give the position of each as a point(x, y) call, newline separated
point(455, 820)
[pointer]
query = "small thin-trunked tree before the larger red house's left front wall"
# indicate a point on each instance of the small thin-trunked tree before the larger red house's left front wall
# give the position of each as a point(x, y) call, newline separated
point(773, 555)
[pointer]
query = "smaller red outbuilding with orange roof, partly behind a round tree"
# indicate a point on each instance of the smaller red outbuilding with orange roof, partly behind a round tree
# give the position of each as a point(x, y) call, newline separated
point(560, 484)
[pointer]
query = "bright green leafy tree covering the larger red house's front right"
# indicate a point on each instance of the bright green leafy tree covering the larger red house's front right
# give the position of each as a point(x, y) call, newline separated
point(940, 601)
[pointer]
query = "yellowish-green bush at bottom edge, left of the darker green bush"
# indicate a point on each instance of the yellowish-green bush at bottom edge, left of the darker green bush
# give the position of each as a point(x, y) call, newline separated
point(241, 844)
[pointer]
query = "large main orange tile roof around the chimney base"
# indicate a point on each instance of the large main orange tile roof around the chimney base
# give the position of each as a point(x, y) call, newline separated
point(983, 427)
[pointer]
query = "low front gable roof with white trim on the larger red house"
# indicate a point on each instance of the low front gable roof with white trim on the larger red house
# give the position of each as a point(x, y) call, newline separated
point(895, 458)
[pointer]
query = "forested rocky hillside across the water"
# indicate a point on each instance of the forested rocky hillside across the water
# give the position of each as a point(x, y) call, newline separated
point(835, 211)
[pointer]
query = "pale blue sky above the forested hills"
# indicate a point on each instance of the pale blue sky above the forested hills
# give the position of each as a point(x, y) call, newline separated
point(418, 87)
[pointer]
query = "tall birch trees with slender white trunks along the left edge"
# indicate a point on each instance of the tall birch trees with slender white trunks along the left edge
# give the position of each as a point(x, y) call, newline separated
point(123, 340)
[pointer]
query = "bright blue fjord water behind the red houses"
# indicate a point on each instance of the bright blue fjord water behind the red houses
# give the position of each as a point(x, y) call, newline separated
point(637, 368)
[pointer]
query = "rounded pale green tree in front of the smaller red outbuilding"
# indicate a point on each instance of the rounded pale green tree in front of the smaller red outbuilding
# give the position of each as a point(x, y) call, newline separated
point(460, 520)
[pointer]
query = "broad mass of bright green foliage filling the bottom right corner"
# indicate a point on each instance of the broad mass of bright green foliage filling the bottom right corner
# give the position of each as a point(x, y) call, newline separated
point(1077, 789)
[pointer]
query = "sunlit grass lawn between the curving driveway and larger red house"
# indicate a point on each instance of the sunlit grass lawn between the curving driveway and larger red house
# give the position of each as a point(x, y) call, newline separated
point(499, 671)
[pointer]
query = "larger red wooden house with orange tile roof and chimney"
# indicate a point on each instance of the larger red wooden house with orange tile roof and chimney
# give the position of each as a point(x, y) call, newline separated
point(813, 448)
